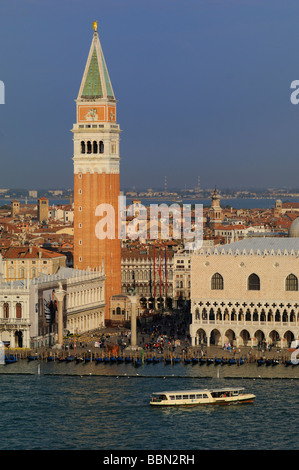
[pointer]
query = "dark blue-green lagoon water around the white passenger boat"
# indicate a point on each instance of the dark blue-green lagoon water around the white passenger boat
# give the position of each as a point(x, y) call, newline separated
point(59, 406)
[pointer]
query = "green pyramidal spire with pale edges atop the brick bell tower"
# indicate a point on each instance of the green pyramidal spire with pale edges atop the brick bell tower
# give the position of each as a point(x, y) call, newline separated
point(96, 82)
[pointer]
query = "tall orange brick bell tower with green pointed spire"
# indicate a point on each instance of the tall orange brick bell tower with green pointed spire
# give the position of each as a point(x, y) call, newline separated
point(96, 171)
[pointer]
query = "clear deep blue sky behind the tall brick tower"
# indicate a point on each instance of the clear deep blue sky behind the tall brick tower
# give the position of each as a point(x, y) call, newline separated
point(203, 88)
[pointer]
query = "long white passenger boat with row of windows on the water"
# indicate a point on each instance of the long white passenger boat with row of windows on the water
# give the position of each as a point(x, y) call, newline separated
point(221, 396)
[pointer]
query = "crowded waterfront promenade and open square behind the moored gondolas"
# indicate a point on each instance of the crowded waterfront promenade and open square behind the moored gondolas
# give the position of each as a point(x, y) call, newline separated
point(166, 338)
